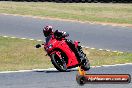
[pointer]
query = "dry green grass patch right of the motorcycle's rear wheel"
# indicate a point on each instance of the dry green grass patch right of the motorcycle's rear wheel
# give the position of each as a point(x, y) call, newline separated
point(98, 58)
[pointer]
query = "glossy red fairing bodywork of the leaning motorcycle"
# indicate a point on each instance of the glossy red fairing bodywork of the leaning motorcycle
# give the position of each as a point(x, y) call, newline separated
point(56, 46)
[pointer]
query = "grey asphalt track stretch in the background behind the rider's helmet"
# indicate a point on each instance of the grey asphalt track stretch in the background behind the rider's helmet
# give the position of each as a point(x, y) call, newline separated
point(91, 35)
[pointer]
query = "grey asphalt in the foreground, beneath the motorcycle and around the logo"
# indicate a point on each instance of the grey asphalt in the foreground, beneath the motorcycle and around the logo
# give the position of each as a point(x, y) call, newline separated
point(55, 79)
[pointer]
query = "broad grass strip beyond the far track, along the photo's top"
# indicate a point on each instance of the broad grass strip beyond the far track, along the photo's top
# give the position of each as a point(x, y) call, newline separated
point(93, 12)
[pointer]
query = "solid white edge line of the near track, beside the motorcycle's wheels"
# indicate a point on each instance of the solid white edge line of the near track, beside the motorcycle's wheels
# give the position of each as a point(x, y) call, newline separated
point(54, 69)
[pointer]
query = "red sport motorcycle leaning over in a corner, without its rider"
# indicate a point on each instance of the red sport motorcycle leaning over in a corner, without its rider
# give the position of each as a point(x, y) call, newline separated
point(62, 57)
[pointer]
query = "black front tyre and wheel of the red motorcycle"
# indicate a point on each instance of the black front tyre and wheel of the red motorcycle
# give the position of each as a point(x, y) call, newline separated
point(58, 63)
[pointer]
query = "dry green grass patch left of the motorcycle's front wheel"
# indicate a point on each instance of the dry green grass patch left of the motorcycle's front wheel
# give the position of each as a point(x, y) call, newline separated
point(18, 54)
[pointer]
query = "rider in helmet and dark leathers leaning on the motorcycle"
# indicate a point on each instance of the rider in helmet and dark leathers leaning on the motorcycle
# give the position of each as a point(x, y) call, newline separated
point(48, 32)
